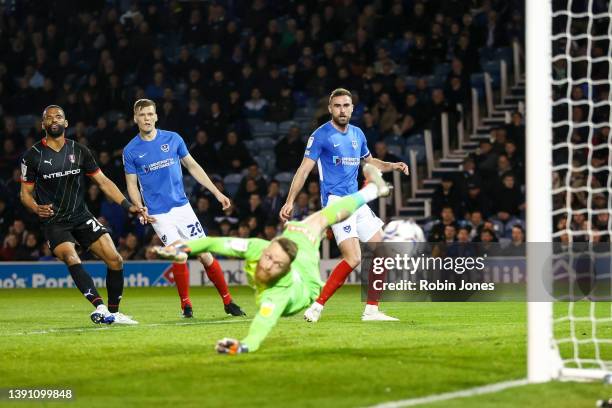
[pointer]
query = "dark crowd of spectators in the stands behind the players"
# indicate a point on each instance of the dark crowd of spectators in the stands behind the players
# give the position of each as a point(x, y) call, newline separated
point(217, 68)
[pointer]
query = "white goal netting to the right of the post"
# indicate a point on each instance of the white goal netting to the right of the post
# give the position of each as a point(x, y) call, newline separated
point(581, 58)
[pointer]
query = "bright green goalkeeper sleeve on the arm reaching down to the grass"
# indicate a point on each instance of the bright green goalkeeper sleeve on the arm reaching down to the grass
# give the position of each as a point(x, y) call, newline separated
point(273, 303)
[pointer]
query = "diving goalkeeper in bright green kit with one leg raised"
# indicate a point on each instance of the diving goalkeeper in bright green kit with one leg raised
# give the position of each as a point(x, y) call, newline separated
point(284, 271)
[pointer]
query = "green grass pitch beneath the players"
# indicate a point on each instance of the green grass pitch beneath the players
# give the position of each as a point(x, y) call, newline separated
point(47, 341)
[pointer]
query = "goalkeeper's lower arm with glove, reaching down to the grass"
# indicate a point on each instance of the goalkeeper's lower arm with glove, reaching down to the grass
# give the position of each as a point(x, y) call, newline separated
point(270, 310)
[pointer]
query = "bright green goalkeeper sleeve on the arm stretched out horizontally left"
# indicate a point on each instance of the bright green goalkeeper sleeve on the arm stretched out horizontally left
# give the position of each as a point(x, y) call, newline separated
point(249, 249)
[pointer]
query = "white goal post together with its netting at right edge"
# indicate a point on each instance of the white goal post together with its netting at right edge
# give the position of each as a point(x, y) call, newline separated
point(568, 87)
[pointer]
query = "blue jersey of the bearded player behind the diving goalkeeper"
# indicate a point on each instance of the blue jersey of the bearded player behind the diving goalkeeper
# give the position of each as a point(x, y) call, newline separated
point(338, 156)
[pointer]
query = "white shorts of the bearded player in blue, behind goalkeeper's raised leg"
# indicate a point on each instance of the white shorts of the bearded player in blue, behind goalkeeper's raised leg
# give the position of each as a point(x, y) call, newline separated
point(362, 224)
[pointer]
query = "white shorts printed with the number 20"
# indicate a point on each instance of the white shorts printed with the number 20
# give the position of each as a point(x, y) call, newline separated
point(180, 223)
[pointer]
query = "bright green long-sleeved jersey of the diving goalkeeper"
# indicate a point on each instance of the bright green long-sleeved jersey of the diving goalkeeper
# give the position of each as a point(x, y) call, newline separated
point(290, 294)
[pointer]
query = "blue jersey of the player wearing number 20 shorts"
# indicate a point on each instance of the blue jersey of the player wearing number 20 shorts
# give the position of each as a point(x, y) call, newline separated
point(157, 163)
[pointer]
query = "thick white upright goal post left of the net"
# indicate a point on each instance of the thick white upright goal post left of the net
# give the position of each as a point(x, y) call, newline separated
point(540, 348)
